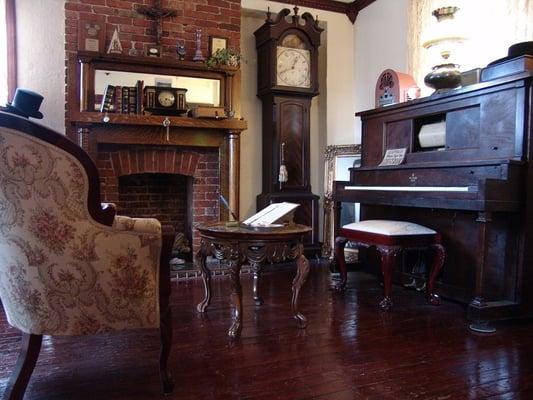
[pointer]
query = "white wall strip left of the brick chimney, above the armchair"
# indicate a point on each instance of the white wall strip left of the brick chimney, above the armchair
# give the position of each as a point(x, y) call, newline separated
point(41, 55)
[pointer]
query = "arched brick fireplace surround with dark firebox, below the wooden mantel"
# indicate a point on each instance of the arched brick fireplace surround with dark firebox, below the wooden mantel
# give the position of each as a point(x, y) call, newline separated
point(179, 186)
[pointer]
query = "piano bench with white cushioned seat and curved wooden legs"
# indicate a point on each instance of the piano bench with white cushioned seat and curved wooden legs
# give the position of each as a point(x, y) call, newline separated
point(390, 238)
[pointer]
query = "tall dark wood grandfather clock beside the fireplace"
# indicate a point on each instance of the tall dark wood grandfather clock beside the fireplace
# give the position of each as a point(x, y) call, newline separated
point(287, 51)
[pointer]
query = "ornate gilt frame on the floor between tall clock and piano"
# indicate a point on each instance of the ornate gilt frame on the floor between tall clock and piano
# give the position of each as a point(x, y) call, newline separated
point(338, 158)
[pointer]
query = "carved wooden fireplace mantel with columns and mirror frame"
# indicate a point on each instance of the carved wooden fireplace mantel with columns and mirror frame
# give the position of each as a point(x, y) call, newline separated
point(122, 130)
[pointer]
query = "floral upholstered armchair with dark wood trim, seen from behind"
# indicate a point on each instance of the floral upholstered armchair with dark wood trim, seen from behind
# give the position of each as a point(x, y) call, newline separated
point(68, 265)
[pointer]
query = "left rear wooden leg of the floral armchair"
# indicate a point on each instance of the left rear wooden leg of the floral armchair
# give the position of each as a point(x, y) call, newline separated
point(29, 352)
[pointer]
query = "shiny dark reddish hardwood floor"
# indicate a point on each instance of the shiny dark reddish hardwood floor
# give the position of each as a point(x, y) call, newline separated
point(349, 351)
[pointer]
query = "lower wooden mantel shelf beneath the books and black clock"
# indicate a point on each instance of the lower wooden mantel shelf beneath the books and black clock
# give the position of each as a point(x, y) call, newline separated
point(230, 124)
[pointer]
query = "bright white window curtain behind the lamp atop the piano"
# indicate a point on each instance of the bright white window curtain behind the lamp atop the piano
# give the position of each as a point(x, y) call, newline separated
point(491, 26)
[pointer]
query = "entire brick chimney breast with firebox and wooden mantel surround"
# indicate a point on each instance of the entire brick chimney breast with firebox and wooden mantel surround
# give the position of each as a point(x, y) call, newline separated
point(174, 174)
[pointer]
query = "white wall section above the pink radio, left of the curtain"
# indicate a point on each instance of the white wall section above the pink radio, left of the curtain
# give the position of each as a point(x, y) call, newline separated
point(380, 43)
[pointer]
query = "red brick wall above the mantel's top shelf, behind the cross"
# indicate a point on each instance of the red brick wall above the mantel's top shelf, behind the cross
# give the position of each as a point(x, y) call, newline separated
point(213, 17)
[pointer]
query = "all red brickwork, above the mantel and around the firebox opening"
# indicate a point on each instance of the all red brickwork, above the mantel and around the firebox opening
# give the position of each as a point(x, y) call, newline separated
point(214, 17)
